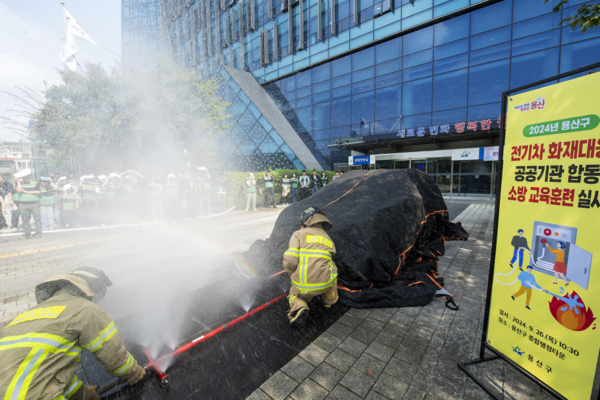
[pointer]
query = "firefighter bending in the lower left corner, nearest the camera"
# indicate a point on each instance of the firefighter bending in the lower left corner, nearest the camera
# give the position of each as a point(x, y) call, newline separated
point(41, 348)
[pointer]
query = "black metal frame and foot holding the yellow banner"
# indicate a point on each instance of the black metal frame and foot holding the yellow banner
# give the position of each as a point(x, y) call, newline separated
point(497, 355)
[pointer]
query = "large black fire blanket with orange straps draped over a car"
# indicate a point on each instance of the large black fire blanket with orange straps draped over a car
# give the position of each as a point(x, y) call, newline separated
point(389, 229)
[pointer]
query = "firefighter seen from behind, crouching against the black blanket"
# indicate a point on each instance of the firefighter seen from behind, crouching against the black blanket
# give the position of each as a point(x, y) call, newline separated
point(309, 262)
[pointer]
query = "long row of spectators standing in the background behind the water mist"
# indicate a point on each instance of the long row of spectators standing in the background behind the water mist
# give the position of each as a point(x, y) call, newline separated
point(67, 201)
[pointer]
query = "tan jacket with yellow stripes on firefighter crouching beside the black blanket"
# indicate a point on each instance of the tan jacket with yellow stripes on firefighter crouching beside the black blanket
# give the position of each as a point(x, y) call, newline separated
point(309, 258)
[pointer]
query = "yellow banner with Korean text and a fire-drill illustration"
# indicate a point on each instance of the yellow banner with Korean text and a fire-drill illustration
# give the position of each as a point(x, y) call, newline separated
point(546, 286)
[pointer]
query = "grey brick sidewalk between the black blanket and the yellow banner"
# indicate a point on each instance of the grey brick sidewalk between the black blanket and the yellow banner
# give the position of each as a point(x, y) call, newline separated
point(409, 353)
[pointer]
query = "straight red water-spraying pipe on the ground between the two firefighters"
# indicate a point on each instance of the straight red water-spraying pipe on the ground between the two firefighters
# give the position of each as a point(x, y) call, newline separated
point(156, 364)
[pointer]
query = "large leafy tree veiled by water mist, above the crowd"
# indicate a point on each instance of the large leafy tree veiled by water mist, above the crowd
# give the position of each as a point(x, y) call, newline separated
point(157, 118)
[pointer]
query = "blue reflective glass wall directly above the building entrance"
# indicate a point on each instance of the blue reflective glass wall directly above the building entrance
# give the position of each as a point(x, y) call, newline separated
point(450, 72)
